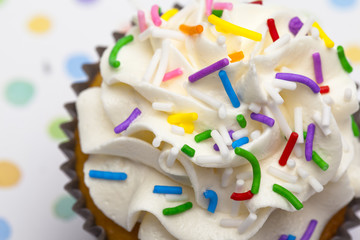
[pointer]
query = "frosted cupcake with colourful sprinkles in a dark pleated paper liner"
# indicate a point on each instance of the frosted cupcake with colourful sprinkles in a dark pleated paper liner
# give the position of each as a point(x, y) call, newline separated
point(218, 121)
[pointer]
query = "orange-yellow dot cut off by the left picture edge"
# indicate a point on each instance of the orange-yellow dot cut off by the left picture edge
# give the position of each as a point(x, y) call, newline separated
point(9, 174)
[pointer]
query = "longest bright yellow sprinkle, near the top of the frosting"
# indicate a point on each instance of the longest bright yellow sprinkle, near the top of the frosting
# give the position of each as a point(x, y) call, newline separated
point(225, 26)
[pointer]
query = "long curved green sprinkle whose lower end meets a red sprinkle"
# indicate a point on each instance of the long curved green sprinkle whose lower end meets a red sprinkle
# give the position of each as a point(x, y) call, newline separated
point(255, 166)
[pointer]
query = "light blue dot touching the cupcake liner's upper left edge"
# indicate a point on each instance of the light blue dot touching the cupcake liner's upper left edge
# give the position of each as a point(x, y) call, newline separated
point(74, 66)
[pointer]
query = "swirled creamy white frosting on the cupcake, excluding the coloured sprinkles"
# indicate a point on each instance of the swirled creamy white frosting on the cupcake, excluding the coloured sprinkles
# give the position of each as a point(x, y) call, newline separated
point(132, 151)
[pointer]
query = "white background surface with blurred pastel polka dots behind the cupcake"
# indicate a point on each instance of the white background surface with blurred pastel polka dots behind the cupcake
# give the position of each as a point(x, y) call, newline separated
point(43, 46)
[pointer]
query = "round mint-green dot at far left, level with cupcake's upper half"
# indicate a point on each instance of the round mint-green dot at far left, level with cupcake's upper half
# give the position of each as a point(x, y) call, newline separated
point(19, 92)
